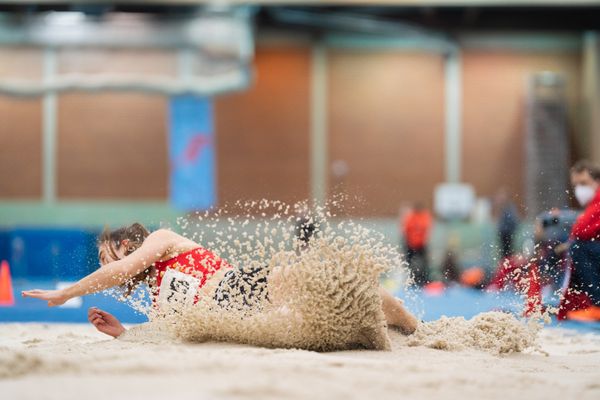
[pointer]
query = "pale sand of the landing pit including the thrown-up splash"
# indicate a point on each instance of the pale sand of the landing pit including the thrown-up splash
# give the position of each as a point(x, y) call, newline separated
point(325, 298)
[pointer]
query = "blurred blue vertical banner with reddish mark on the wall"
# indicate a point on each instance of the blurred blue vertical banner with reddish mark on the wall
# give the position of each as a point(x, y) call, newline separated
point(192, 153)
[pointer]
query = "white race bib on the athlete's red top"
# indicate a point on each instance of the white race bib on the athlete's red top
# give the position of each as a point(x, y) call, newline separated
point(177, 290)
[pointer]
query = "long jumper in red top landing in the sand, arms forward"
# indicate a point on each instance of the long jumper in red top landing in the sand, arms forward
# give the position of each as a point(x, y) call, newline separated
point(132, 255)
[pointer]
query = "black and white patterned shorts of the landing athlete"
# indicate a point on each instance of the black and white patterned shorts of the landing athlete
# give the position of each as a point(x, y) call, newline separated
point(242, 288)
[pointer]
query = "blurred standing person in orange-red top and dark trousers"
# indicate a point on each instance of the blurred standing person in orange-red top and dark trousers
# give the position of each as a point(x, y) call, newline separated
point(416, 226)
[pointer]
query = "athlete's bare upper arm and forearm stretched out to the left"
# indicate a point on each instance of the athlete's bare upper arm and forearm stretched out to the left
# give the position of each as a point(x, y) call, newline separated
point(112, 274)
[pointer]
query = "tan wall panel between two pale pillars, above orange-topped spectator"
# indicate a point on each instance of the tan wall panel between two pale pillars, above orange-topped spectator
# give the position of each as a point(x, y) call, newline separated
point(386, 124)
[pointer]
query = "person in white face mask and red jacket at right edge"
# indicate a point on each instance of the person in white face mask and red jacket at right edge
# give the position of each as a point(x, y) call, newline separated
point(582, 296)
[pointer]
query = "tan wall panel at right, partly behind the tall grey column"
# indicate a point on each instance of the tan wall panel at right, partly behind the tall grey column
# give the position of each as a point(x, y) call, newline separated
point(494, 101)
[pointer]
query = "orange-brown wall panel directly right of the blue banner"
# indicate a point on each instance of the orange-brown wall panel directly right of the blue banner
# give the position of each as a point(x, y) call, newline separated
point(263, 133)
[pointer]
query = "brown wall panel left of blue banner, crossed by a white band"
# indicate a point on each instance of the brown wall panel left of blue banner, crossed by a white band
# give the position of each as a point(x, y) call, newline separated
point(113, 145)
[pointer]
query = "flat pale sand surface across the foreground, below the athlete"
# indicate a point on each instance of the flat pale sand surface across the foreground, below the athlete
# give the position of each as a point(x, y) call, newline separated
point(40, 361)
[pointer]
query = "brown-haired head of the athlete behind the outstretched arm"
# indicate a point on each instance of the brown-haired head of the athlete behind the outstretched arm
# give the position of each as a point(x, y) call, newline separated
point(114, 245)
